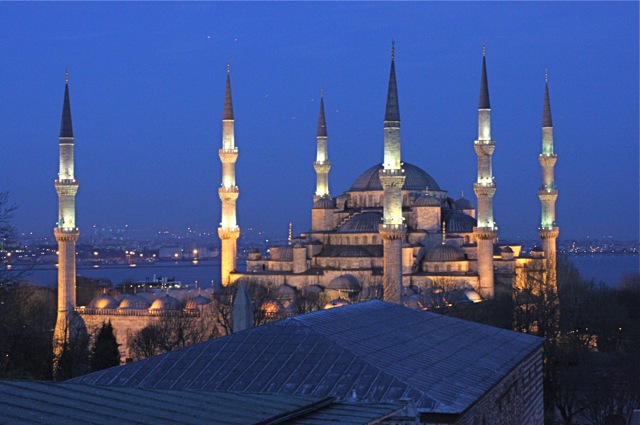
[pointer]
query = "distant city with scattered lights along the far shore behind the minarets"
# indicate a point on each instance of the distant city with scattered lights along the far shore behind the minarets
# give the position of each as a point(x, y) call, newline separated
point(126, 245)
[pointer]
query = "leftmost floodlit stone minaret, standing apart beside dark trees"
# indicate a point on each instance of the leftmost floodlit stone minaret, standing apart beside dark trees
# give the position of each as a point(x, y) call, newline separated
point(66, 232)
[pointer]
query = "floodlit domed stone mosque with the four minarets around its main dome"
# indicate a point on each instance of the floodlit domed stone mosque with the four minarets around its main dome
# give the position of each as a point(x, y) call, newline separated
point(396, 233)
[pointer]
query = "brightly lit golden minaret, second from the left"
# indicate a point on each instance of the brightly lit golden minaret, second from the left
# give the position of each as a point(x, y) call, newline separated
point(228, 230)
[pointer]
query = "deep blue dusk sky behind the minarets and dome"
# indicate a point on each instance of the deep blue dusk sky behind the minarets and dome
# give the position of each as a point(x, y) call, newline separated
point(147, 89)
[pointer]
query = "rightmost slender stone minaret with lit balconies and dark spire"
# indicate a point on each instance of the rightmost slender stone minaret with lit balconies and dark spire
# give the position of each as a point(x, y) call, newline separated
point(548, 194)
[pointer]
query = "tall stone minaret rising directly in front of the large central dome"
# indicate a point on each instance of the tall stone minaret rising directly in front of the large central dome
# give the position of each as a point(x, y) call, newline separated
point(392, 230)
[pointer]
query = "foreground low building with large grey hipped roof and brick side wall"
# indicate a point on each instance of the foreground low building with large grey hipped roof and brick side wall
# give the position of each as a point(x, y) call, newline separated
point(449, 370)
